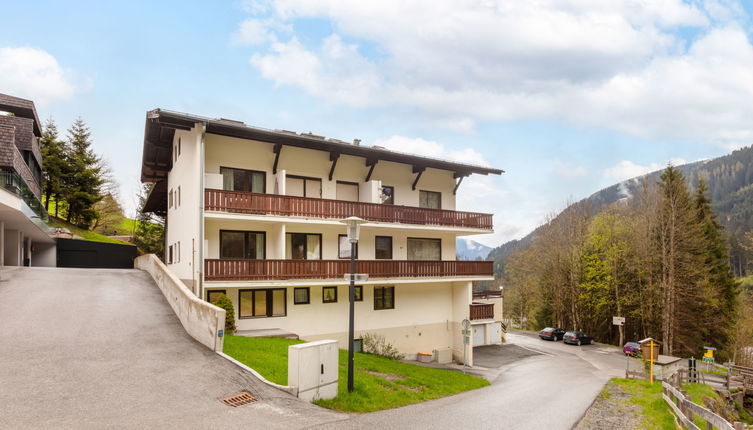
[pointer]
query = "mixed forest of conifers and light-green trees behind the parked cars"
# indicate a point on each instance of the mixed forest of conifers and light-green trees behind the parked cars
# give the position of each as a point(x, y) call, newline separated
point(661, 259)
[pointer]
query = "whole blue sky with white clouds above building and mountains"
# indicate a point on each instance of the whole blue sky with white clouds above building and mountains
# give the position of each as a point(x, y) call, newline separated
point(566, 96)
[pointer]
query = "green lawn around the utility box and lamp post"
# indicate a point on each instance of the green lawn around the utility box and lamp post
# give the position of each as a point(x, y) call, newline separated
point(379, 383)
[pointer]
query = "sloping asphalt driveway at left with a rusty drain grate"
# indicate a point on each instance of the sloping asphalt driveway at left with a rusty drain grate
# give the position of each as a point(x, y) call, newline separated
point(84, 348)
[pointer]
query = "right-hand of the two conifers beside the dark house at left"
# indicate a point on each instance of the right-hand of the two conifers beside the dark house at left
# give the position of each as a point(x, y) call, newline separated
point(83, 191)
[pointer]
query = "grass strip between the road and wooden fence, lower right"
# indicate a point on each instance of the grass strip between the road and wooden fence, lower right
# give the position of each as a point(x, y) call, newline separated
point(655, 411)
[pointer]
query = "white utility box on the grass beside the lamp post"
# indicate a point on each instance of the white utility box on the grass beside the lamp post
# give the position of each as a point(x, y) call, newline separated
point(313, 369)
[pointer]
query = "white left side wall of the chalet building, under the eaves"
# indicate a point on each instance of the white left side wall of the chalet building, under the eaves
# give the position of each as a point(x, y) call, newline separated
point(184, 219)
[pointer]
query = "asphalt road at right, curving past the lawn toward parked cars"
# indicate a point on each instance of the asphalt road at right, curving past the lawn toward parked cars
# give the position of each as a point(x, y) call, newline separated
point(550, 391)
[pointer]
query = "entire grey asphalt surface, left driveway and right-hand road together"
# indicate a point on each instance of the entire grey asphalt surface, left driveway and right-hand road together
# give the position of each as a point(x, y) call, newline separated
point(83, 348)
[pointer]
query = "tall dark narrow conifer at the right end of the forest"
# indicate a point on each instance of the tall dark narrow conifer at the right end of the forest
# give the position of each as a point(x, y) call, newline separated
point(718, 289)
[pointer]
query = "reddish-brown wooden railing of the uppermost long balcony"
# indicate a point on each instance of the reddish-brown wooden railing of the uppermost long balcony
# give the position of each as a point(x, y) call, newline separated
point(273, 204)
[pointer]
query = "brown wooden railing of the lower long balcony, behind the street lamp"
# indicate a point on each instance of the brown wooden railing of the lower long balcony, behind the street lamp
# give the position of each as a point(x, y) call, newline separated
point(256, 270)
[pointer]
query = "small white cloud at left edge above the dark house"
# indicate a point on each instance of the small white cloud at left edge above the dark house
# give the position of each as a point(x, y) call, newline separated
point(34, 74)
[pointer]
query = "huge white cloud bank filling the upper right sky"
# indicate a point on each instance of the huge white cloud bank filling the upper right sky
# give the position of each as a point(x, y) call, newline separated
point(620, 65)
